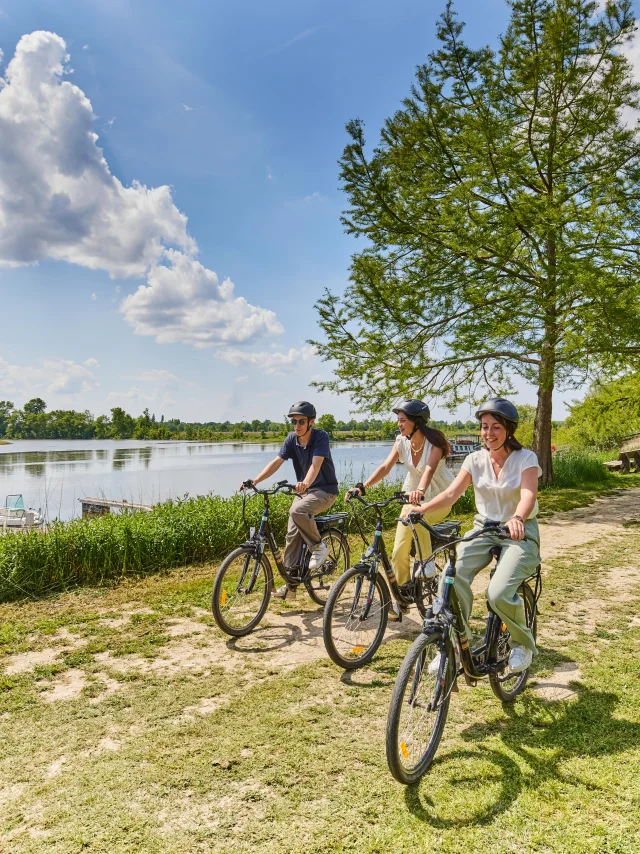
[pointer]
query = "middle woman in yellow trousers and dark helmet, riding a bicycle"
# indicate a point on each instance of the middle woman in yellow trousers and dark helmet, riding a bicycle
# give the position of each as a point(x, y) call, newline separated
point(423, 450)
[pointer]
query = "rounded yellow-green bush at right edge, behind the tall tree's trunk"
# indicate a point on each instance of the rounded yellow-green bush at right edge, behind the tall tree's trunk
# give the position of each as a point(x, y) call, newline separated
point(609, 413)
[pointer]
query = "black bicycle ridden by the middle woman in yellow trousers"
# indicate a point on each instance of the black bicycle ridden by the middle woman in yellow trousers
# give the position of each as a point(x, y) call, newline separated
point(357, 610)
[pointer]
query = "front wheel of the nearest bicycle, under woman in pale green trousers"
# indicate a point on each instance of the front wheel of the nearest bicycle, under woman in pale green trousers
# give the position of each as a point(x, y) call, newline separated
point(399, 736)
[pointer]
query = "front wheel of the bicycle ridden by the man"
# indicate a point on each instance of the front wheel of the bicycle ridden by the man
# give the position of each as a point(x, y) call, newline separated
point(241, 591)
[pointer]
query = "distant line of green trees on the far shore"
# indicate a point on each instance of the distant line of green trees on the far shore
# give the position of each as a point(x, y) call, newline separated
point(33, 421)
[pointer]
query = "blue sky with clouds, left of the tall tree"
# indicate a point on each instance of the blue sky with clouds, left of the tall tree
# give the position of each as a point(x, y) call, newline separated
point(239, 108)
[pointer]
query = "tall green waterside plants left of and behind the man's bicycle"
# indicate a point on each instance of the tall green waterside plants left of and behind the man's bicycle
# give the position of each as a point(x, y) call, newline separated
point(177, 533)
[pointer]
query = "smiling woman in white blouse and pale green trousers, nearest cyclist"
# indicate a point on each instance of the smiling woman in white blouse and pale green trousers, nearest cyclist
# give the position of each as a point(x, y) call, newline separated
point(505, 482)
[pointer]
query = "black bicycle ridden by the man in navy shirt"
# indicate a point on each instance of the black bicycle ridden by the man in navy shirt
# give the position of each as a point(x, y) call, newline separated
point(244, 583)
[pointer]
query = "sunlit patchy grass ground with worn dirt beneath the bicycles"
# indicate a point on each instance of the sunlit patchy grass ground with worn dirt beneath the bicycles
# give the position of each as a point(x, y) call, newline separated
point(129, 724)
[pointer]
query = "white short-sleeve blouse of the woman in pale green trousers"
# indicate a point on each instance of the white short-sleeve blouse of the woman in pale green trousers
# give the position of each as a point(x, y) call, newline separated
point(497, 497)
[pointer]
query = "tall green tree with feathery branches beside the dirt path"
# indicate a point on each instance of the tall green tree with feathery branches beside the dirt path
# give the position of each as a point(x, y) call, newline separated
point(501, 213)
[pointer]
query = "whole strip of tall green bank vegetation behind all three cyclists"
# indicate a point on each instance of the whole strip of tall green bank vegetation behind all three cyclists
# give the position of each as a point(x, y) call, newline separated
point(192, 531)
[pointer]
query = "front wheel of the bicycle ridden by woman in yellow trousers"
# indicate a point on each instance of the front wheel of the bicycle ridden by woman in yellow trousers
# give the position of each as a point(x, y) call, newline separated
point(348, 653)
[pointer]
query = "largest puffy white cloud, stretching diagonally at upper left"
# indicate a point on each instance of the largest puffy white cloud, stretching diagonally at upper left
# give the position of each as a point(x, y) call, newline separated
point(59, 199)
